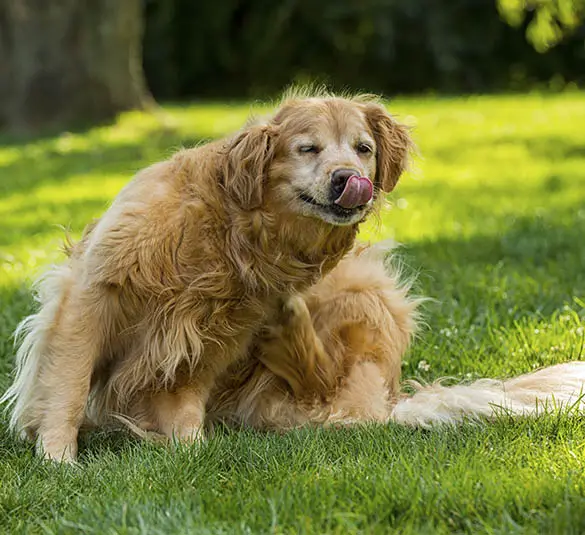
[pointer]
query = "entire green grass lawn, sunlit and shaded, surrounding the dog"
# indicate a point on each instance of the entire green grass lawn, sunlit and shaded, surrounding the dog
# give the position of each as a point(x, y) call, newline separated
point(493, 222)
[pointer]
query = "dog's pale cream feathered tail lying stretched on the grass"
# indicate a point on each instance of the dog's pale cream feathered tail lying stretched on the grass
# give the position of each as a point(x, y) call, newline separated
point(557, 387)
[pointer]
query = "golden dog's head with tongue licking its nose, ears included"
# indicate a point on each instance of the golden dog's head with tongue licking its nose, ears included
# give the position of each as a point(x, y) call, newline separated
point(325, 158)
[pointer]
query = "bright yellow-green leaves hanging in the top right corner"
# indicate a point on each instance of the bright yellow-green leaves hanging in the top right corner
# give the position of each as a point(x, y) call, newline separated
point(552, 19)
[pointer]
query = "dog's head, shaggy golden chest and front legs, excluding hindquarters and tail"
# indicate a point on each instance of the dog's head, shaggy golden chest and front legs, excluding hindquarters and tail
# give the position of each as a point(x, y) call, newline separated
point(167, 290)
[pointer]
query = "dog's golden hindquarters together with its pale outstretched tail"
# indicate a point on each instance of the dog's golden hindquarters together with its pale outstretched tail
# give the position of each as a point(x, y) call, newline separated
point(333, 354)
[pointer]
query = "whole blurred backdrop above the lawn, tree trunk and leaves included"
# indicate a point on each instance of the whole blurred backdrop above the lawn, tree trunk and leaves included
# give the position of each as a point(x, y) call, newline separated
point(67, 64)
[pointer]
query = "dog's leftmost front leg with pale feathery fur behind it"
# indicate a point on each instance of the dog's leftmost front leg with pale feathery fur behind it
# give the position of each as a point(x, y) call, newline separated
point(55, 361)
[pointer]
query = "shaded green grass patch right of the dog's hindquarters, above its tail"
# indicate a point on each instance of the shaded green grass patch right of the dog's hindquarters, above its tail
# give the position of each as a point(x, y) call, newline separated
point(536, 267)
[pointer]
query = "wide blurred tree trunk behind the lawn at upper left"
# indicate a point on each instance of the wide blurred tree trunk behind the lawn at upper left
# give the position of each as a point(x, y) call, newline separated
point(66, 63)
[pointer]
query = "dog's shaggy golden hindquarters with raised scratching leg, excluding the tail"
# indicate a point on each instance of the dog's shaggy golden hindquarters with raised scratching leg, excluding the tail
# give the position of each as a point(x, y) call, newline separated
point(332, 355)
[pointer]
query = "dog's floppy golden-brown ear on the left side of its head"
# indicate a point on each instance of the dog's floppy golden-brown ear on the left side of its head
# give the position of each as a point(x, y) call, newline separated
point(249, 155)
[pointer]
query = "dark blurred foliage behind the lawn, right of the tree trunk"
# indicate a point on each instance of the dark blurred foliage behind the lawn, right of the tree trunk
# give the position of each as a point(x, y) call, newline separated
point(253, 48)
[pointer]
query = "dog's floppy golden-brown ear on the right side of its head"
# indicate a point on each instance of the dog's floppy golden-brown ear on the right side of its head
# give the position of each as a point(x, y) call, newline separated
point(393, 145)
